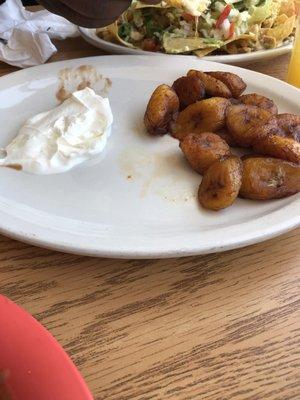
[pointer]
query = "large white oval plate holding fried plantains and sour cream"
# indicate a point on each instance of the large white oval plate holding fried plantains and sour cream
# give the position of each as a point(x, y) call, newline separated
point(139, 200)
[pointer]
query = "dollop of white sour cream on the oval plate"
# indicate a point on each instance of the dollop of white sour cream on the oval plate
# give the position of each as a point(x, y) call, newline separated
point(57, 140)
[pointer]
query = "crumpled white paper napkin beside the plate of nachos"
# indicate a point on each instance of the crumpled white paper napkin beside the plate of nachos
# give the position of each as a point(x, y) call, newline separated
point(25, 36)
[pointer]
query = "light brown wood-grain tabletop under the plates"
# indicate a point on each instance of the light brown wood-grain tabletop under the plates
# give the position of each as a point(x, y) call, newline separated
point(218, 327)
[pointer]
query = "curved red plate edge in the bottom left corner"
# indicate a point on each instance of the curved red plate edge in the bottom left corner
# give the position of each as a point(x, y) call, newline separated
point(37, 366)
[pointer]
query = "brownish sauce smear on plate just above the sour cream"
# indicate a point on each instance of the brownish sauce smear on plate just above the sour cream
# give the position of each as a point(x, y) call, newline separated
point(72, 79)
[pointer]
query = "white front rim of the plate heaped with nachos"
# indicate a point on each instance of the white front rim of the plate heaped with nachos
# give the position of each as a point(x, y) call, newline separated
point(90, 36)
